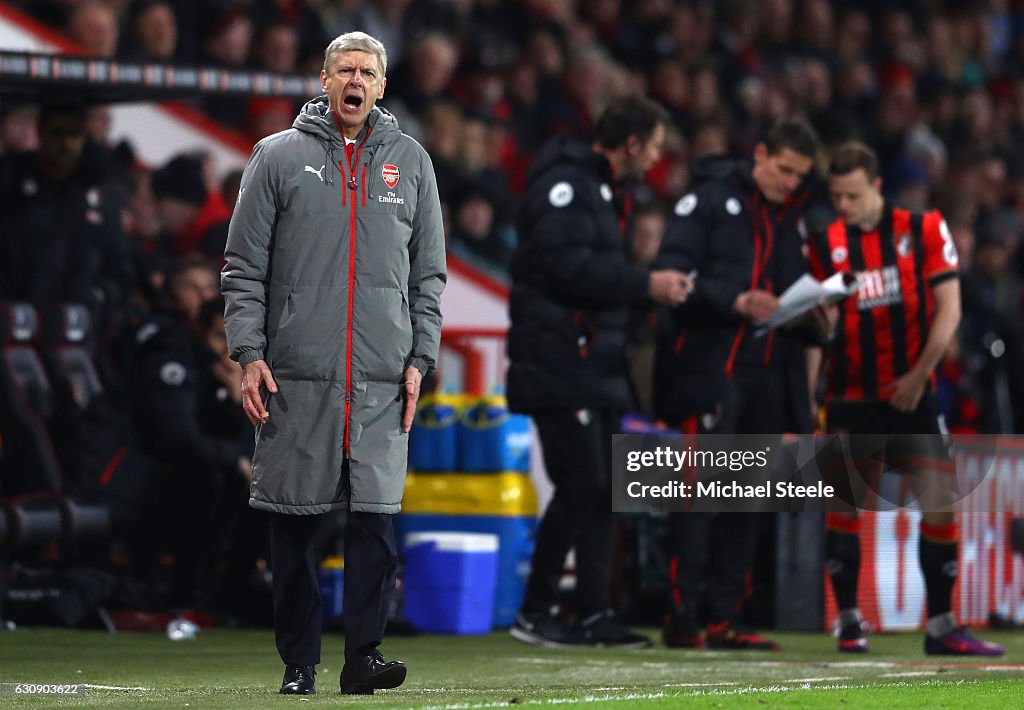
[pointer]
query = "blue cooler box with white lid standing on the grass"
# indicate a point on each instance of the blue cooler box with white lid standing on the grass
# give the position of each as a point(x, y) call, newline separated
point(450, 581)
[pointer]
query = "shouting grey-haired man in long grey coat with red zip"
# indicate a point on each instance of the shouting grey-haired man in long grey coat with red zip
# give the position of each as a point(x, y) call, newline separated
point(335, 267)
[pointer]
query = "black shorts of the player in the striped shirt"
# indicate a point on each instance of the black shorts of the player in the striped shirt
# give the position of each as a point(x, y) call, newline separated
point(900, 440)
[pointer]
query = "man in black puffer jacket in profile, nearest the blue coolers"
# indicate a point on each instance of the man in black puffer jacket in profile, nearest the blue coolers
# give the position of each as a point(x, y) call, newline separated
point(573, 286)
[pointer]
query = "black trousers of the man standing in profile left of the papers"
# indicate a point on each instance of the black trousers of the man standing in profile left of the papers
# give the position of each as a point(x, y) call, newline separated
point(578, 455)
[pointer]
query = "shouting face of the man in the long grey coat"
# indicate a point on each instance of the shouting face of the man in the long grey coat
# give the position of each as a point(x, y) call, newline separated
point(354, 86)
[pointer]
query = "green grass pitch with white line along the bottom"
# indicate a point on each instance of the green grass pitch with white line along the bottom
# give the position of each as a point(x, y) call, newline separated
point(226, 669)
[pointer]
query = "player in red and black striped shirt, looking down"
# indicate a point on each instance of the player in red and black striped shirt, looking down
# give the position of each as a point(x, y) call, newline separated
point(891, 336)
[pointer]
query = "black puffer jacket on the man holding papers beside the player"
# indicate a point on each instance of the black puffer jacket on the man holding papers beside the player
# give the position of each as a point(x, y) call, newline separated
point(735, 240)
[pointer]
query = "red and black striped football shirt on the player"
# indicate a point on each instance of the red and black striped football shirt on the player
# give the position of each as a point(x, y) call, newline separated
point(884, 327)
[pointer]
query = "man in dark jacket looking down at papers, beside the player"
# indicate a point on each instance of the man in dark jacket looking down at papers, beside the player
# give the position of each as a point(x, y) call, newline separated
point(741, 232)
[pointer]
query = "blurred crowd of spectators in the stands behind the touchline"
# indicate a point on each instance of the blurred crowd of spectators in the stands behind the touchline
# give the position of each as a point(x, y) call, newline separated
point(934, 87)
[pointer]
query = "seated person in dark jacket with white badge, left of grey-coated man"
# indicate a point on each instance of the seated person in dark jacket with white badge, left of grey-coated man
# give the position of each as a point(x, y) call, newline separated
point(204, 476)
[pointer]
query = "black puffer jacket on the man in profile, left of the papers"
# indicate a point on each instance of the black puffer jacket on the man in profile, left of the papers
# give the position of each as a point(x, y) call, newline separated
point(573, 284)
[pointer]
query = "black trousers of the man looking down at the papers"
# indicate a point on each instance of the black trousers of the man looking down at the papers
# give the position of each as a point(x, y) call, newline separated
point(713, 553)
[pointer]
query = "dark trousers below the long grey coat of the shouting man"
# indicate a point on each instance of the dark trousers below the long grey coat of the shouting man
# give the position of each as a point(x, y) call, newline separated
point(371, 562)
